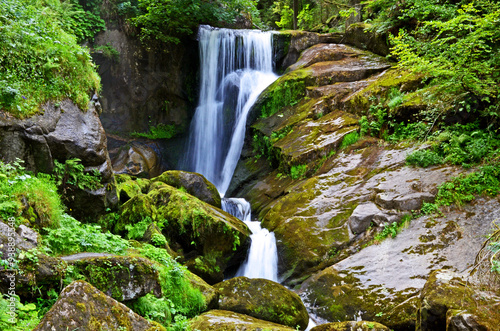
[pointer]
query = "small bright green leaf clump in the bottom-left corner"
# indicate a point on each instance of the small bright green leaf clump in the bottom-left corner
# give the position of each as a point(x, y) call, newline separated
point(26, 315)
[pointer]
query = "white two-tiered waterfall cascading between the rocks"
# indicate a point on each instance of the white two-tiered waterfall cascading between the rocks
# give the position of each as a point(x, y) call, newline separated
point(236, 66)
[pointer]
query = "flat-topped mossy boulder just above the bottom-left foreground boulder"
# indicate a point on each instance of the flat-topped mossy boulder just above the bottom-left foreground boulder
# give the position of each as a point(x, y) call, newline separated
point(120, 277)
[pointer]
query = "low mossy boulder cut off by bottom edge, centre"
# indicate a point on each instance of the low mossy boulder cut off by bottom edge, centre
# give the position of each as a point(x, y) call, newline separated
point(222, 320)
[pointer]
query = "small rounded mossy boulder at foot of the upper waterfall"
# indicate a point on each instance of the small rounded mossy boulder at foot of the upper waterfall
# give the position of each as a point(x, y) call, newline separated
point(193, 183)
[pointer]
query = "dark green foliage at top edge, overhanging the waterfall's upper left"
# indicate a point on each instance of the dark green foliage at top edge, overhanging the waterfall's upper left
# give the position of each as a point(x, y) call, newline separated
point(169, 20)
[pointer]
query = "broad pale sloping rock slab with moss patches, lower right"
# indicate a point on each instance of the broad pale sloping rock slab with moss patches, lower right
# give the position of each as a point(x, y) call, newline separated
point(383, 282)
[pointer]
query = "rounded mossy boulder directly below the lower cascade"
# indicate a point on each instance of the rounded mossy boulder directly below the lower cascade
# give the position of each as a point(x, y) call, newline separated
point(263, 299)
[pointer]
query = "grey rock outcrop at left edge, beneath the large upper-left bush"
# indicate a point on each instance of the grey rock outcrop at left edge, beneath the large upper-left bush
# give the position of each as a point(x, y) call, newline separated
point(62, 133)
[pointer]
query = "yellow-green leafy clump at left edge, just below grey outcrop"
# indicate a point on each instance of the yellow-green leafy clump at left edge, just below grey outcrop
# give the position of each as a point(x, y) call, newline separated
point(28, 197)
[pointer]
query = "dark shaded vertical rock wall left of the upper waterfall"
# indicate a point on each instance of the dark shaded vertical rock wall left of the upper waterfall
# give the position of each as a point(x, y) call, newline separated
point(145, 87)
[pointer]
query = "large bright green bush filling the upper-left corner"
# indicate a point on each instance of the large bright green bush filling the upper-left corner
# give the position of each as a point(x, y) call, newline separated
point(39, 59)
